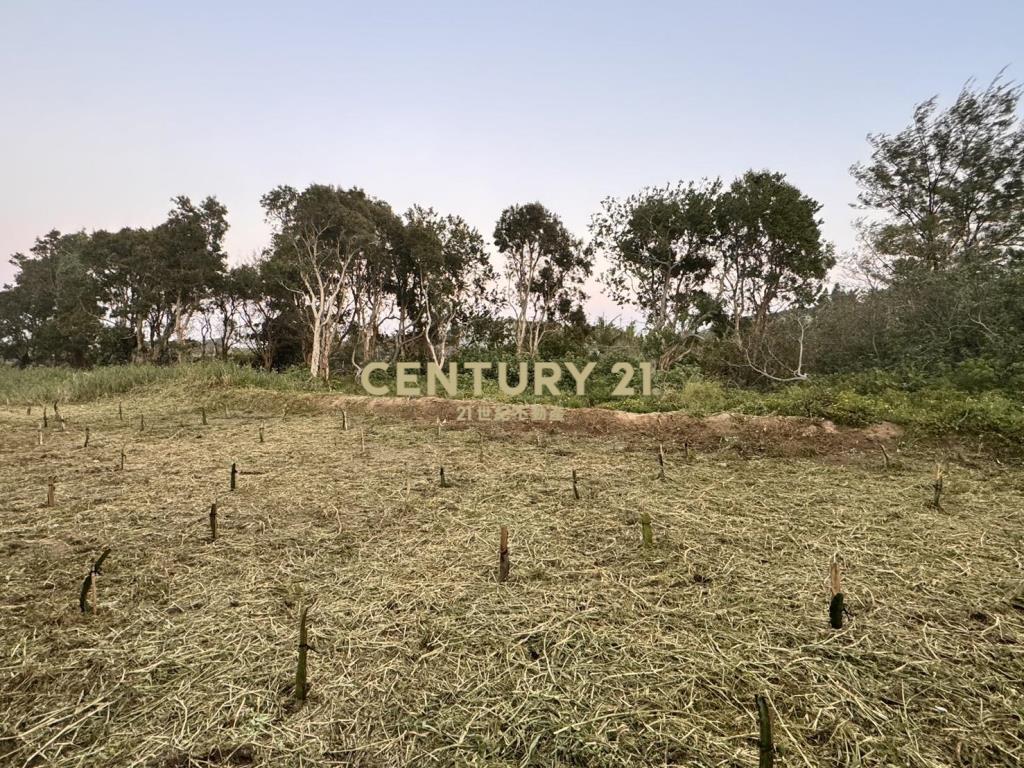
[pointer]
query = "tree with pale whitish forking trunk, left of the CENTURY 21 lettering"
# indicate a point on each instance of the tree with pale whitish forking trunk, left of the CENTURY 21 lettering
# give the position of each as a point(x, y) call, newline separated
point(322, 236)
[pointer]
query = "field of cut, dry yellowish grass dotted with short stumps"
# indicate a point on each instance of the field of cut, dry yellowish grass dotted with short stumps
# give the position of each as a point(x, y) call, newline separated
point(596, 652)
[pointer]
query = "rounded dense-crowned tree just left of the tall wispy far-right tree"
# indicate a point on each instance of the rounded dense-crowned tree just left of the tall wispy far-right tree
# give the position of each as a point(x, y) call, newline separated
point(775, 260)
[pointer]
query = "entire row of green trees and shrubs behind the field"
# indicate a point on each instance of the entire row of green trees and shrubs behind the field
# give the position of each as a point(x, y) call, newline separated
point(729, 277)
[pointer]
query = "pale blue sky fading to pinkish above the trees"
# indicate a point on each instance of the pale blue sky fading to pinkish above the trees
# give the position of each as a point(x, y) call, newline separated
point(108, 110)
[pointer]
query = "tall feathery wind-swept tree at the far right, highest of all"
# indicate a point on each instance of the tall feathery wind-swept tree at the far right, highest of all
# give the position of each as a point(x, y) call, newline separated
point(950, 188)
